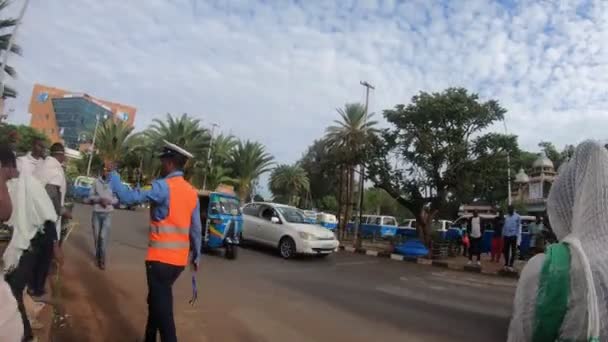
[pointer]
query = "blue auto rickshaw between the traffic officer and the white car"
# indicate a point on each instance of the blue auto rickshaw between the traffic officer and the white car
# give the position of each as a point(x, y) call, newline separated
point(222, 222)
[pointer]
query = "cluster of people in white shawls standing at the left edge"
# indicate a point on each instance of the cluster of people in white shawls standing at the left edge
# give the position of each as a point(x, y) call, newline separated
point(33, 189)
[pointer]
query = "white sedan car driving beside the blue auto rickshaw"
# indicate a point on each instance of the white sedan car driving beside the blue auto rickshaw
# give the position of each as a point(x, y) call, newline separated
point(285, 228)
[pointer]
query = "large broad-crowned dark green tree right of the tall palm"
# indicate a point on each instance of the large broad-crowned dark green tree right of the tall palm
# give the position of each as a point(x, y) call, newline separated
point(432, 139)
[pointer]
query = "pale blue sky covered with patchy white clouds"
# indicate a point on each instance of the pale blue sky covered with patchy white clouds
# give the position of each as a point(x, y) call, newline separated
point(275, 70)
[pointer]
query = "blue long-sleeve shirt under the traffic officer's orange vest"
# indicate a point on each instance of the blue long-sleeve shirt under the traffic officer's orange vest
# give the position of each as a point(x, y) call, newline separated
point(159, 195)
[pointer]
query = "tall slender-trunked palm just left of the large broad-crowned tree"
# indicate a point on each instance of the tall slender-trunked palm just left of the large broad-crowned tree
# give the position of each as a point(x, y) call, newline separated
point(348, 139)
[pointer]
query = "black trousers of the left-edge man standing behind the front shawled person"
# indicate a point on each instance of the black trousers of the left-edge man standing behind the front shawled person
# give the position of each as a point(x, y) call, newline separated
point(43, 245)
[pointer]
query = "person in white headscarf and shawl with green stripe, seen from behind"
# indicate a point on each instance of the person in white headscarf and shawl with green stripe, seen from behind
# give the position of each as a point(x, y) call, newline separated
point(562, 294)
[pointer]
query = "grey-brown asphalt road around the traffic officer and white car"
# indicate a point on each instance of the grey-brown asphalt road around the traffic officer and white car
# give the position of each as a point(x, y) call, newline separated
point(260, 297)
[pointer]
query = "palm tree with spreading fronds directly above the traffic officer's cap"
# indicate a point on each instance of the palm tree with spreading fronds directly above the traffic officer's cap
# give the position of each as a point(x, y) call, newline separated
point(184, 131)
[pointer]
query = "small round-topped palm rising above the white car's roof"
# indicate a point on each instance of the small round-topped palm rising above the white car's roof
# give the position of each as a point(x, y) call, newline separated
point(290, 181)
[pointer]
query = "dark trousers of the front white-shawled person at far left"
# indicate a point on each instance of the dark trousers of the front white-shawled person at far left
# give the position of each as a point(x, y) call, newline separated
point(17, 280)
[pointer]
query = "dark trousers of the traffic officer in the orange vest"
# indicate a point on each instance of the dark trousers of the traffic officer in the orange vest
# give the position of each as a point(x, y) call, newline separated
point(161, 277)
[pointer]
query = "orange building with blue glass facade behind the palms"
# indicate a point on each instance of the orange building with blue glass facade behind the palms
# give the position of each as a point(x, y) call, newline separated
point(66, 116)
